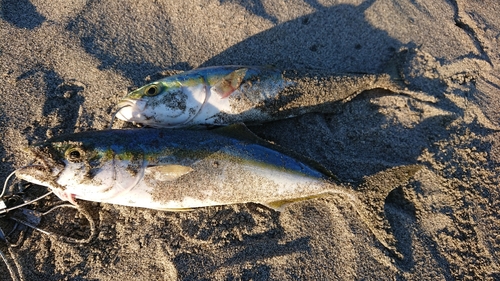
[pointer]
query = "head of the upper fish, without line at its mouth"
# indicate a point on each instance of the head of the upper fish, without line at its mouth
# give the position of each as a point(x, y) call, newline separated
point(169, 102)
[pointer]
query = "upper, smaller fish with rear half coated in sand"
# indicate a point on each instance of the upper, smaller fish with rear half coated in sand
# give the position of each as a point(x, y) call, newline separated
point(223, 95)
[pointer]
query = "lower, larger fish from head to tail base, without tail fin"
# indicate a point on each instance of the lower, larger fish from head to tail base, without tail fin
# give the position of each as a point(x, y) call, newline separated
point(173, 169)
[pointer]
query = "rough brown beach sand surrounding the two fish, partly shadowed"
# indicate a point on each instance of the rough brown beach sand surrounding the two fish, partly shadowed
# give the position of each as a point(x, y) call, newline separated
point(64, 64)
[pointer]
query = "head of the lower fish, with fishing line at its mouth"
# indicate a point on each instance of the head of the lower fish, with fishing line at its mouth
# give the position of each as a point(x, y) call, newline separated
point(80, 167)
